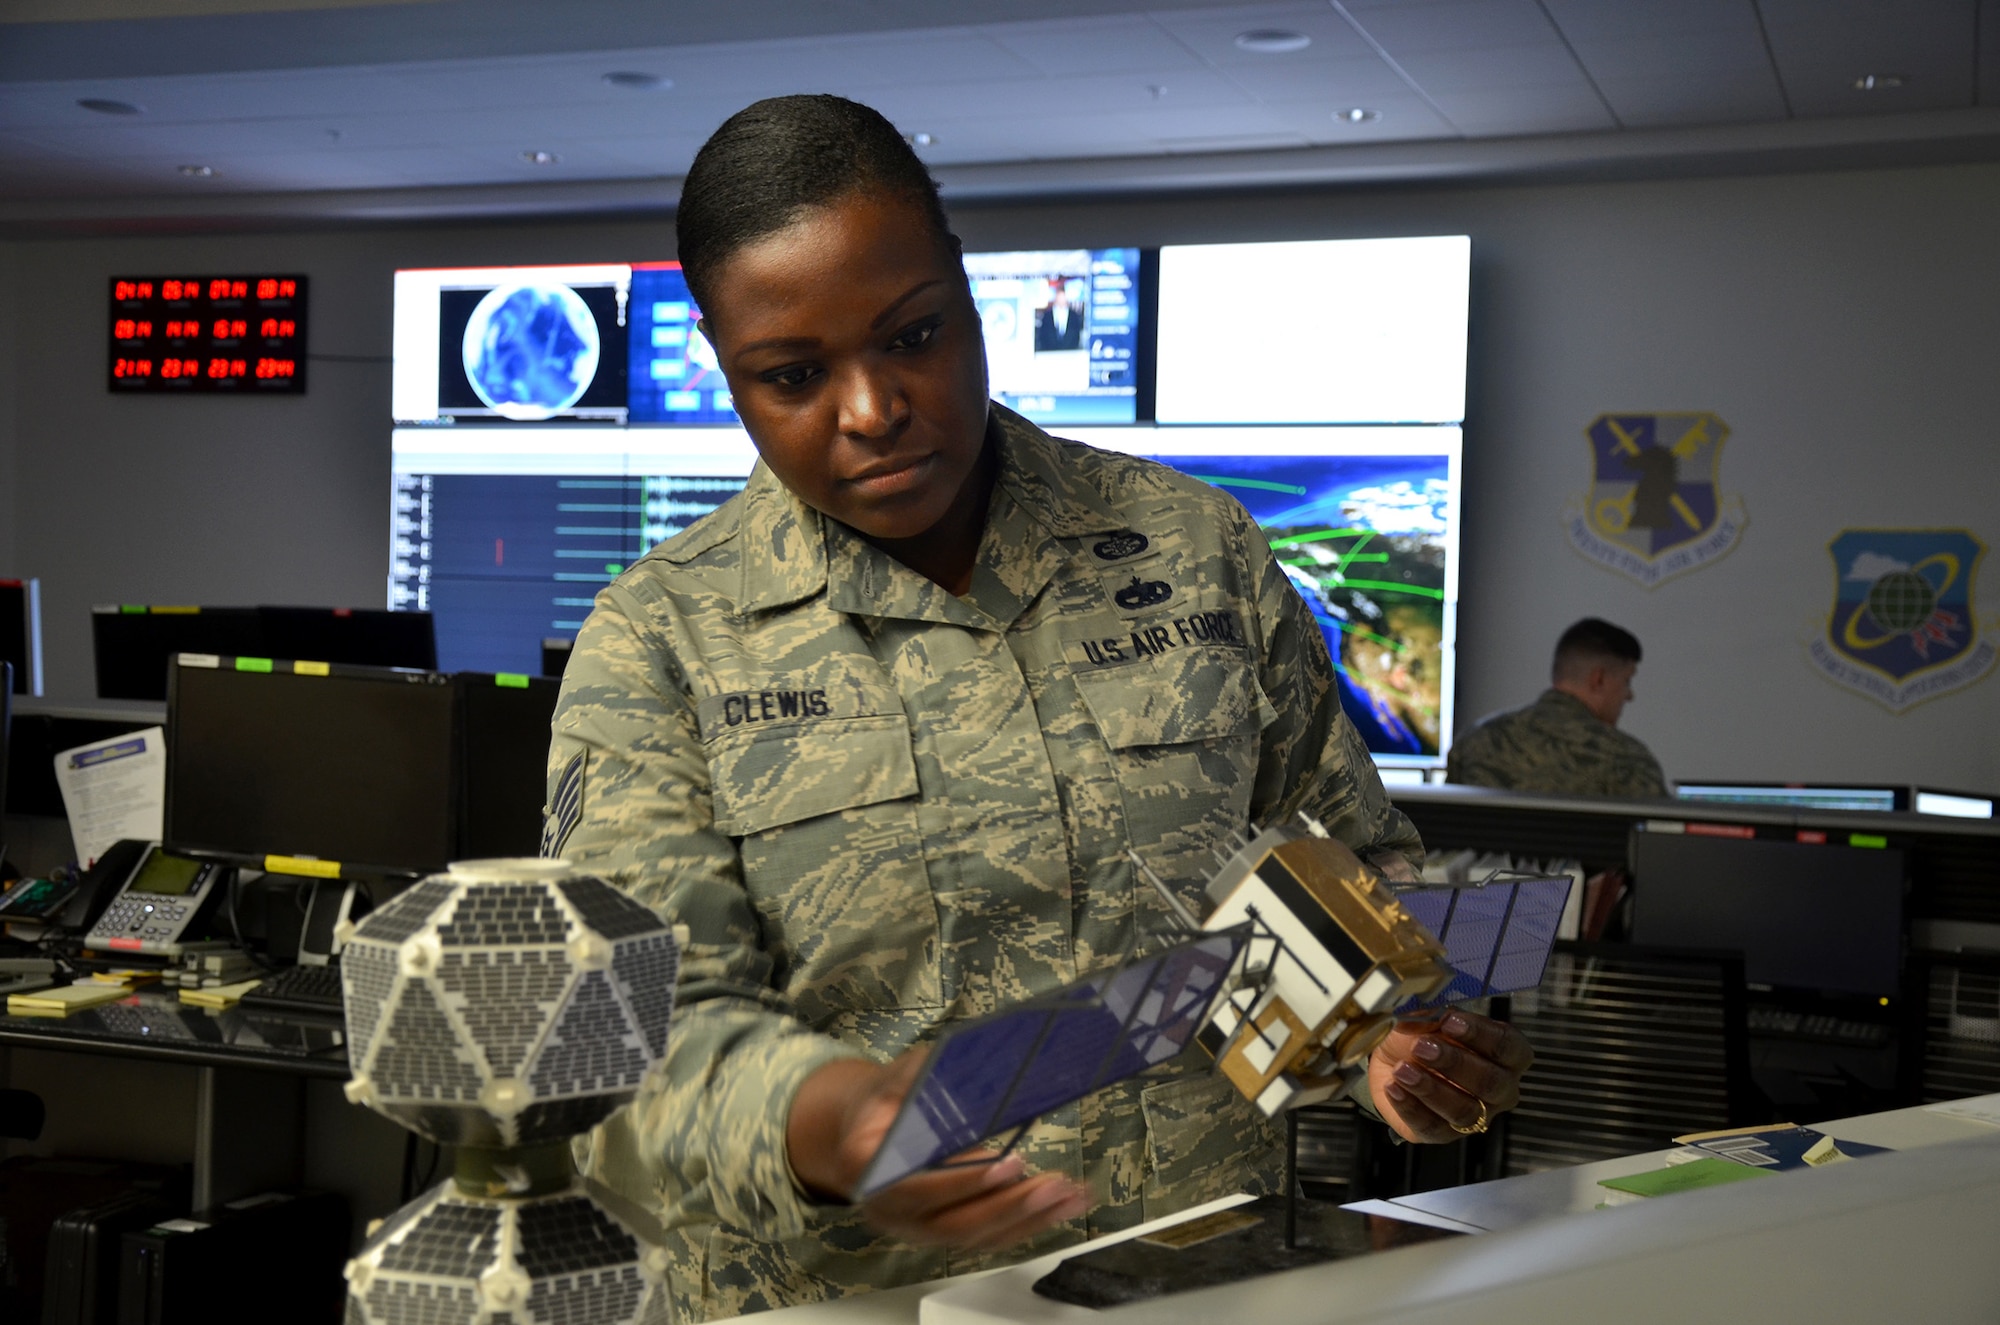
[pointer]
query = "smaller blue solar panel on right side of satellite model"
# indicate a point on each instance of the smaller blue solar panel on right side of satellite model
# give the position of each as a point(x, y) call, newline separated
point(1495, 934)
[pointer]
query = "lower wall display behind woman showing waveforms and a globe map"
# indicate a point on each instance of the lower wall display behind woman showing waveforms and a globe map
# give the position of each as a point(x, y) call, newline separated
point(505, 537)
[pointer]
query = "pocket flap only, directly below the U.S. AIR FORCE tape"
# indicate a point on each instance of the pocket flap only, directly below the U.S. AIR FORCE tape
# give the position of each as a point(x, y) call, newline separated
point(1189, 696)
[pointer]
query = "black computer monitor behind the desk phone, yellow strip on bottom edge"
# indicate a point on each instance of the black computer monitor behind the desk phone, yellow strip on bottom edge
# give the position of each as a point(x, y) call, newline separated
point(331, 762)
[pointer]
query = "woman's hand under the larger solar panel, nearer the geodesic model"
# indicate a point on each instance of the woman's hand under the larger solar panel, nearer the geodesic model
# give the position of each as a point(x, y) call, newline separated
point(983, 1202)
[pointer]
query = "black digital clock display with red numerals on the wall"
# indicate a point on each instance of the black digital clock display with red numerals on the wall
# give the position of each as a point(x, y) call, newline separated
point(209, 333)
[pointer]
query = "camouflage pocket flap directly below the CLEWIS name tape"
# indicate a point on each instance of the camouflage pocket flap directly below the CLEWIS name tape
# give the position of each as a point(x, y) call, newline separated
point(767, 778)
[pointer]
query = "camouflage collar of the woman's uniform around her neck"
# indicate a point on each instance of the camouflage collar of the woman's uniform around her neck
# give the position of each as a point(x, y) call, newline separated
point(791, 551)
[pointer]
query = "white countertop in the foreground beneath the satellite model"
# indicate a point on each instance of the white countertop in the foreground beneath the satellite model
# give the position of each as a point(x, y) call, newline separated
point(1847, 1244)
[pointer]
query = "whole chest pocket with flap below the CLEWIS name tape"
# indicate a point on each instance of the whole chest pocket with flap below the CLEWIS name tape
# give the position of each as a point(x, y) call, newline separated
point(825, 816)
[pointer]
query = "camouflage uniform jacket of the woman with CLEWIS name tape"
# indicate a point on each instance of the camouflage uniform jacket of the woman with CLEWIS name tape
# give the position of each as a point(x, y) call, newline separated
point(883, 808)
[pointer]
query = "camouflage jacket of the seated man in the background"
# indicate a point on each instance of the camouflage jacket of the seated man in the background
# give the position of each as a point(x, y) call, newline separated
point(1561, 748)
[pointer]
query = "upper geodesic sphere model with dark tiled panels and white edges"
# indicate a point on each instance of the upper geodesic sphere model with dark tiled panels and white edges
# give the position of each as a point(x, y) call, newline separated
point(507, 1004)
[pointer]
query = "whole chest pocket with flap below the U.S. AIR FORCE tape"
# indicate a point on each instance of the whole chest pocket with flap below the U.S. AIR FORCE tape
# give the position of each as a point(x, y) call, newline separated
point(1185, 742)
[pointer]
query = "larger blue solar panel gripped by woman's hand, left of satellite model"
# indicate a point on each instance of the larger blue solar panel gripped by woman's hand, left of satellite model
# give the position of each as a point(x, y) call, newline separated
point(1003, 1072)
